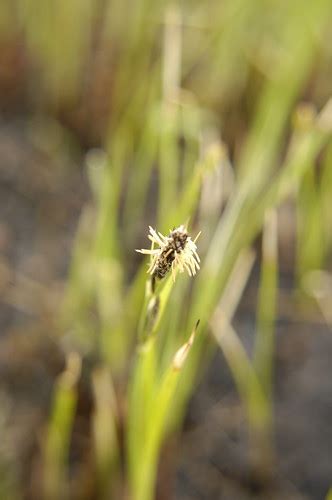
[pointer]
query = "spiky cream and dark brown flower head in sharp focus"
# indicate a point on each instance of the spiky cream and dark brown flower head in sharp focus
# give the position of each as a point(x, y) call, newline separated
point(176, 252)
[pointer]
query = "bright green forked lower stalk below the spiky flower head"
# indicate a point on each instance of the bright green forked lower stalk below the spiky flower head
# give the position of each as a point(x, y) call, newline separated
point(151, 403)
